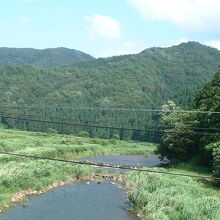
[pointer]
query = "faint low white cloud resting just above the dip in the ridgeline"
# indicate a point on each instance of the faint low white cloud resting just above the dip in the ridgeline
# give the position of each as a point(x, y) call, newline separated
point(129, 47)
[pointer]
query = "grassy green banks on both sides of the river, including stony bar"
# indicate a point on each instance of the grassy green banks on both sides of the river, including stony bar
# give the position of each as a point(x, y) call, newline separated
point(151, 196)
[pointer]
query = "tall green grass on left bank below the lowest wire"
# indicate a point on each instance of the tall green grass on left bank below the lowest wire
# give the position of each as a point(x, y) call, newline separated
point(36, 175)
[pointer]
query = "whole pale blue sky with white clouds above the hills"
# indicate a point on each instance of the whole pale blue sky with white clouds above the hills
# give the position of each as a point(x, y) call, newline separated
point(104, 28)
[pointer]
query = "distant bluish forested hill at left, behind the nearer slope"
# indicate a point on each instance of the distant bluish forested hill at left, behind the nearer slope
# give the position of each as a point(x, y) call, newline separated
point(42, 58)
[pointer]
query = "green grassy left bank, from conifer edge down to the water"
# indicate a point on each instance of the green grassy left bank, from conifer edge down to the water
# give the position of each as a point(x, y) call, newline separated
point(22, 174)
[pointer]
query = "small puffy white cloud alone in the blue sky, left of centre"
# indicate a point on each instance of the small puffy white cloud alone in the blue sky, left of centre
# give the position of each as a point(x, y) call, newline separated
point(104, 26)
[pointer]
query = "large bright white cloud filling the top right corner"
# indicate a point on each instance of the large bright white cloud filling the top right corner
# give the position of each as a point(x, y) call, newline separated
point(188, 14)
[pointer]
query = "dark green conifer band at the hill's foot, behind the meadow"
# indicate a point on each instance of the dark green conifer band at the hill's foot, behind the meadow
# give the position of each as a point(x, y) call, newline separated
point(110, 124)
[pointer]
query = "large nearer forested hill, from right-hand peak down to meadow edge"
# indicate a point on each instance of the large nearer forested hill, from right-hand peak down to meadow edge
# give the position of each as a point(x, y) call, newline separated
point(145, 80)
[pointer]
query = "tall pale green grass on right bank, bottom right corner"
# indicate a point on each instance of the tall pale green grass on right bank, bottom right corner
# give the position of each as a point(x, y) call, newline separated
point(163, 197)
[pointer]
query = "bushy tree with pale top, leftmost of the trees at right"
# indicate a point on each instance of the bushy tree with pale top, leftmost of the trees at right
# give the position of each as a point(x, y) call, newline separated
point(178, 141)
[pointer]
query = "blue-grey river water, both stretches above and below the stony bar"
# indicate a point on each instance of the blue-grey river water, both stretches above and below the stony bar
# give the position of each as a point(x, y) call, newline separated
point(82, 201)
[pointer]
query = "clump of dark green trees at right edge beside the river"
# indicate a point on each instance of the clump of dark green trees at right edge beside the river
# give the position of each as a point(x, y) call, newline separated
point(187, 144)
